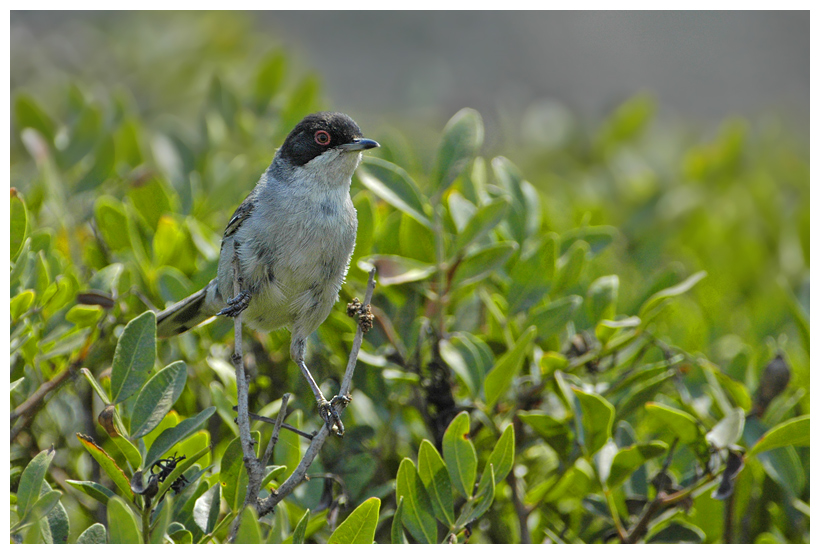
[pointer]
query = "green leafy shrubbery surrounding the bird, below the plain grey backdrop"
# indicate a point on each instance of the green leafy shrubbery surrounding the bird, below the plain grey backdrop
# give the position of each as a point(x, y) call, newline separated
point(550, 362)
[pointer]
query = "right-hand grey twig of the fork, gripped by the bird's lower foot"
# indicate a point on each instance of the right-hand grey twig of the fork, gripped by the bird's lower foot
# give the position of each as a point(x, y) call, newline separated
point(266, 506)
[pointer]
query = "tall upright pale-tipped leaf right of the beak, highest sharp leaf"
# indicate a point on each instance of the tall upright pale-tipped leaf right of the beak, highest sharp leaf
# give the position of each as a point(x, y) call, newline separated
point(460, 142)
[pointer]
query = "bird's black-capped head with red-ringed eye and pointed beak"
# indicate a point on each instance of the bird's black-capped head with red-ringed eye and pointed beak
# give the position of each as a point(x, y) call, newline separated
point(320, 132)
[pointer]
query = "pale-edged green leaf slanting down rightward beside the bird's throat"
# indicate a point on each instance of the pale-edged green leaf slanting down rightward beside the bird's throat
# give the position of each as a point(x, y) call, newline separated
point(395, 186)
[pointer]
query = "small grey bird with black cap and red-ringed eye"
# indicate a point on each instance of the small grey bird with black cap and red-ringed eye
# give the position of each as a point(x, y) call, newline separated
point(293, 237)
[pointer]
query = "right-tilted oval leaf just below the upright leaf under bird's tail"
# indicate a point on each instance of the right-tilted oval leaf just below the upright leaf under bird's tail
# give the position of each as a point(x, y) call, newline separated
point(157, 397)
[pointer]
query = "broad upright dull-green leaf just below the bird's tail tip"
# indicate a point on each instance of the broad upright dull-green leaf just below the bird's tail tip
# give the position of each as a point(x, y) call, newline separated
point(134, 356)
